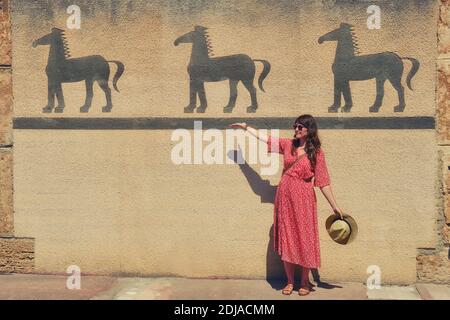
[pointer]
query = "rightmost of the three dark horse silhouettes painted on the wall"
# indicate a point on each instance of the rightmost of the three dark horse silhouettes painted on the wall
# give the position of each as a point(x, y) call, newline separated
point(349, 66)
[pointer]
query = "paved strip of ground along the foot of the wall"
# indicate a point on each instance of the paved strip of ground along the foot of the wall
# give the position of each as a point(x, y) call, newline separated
point(50, 287)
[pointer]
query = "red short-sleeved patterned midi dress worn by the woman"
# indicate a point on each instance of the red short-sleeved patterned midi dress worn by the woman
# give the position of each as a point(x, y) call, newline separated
point(296, 232)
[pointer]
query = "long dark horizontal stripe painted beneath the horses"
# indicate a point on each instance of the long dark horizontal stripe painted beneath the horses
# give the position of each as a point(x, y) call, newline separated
point(161, 123)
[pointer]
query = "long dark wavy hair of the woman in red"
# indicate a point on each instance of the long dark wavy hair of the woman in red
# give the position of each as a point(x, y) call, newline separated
point(312, 145)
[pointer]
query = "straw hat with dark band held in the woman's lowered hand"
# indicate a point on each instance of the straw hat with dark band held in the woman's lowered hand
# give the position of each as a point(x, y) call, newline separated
point(341, 231)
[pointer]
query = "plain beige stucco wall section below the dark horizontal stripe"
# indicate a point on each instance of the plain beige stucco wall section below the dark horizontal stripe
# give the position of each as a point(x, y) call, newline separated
point(113, 202)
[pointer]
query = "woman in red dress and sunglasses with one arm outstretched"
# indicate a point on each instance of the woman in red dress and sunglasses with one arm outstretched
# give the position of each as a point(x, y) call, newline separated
point(296, 236)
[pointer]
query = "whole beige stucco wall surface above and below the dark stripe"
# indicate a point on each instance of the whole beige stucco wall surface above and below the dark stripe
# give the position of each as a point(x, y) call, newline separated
point(113, 201)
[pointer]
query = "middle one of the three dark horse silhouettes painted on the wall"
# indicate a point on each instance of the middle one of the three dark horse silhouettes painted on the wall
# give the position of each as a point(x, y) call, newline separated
point(203, 68)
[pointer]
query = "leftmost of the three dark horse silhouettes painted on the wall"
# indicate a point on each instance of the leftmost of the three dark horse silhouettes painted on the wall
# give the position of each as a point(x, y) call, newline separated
point(60, 69)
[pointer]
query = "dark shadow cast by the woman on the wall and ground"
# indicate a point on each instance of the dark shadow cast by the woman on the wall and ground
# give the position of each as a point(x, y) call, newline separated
point(275, 275)
